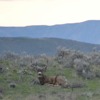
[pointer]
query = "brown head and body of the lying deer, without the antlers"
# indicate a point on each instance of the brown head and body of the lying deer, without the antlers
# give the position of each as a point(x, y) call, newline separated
point(54, 80)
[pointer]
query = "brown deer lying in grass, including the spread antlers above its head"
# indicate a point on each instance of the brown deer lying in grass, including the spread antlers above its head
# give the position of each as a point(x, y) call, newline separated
point(56, 80)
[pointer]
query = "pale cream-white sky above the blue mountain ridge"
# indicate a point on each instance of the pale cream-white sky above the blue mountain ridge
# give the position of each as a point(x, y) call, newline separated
point(47, 12)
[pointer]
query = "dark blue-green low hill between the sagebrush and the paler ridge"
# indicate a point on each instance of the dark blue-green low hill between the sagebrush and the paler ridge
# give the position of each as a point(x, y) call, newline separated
point(43, 45)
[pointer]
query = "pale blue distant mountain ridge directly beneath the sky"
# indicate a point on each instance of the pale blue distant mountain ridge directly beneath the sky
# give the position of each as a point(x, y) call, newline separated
point(88, 31)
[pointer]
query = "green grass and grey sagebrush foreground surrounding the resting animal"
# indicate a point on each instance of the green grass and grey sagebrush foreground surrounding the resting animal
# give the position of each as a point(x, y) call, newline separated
point(18, 76)
